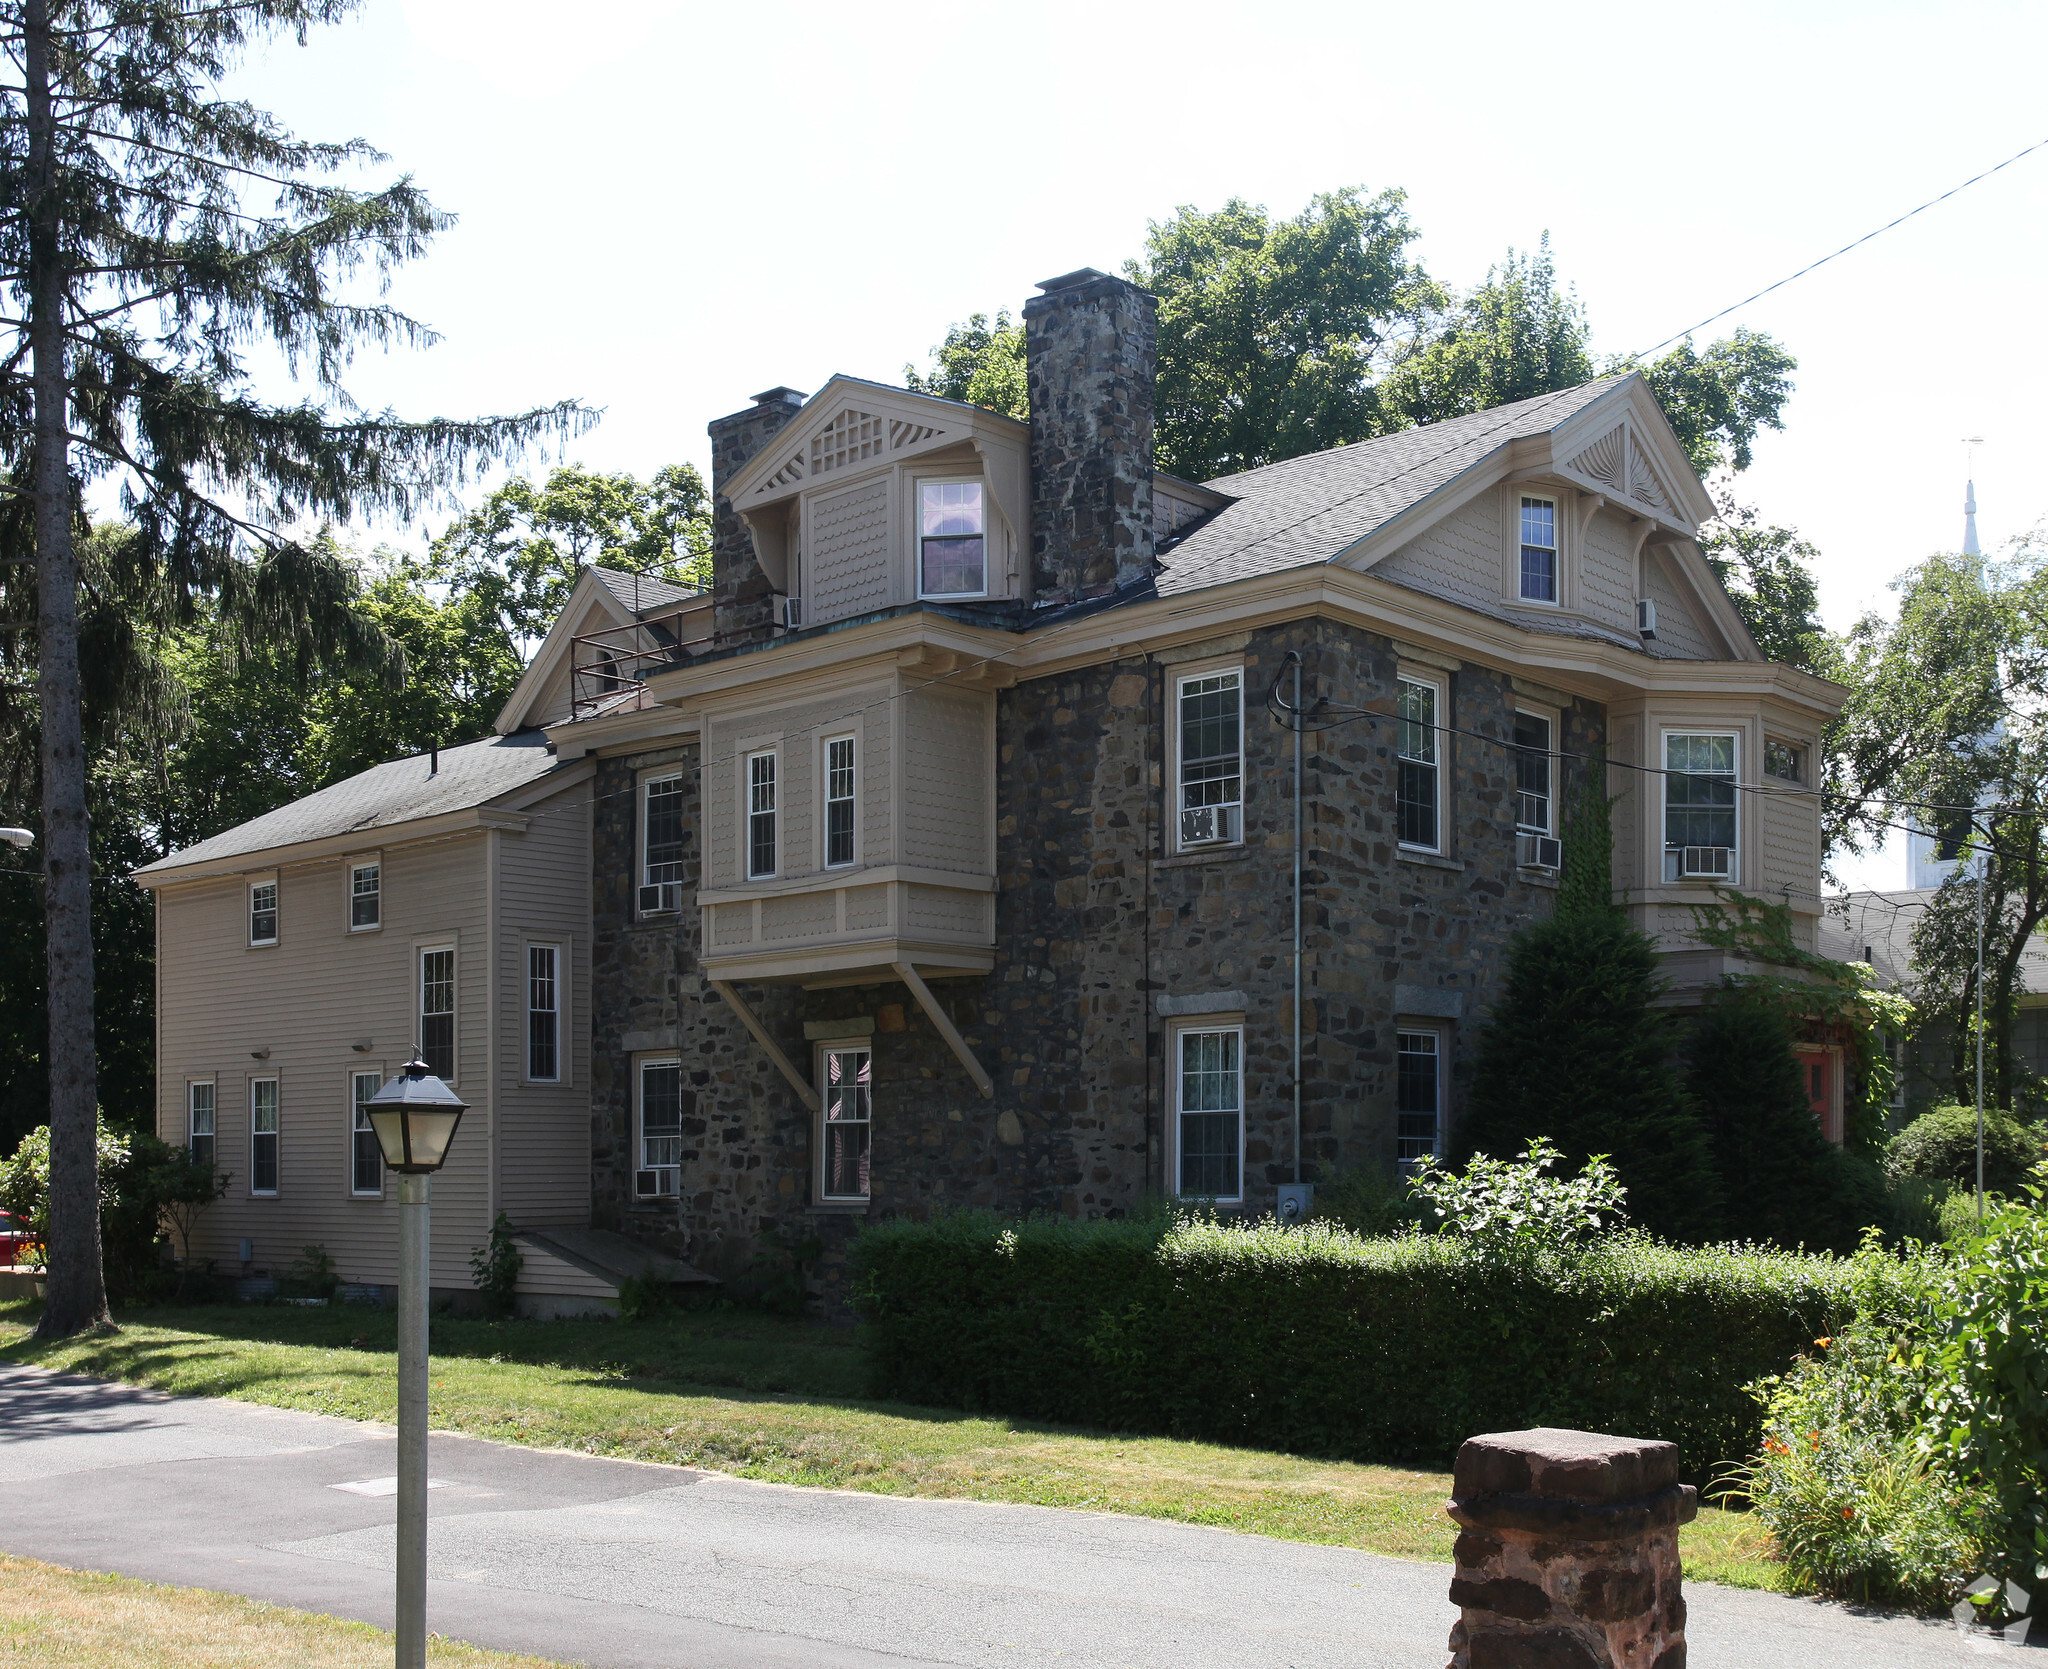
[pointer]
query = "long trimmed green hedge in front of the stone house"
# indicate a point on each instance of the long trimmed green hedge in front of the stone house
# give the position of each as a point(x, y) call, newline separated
point(1320, 1342)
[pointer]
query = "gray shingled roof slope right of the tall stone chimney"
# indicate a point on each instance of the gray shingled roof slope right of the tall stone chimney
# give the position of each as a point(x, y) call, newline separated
point(1308, 511)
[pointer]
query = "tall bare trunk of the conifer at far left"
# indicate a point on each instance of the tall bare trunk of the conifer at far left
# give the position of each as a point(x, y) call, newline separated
point(77, 1279)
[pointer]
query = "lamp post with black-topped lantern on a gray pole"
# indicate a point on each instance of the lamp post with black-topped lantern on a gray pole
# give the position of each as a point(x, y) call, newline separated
point(415, 1119)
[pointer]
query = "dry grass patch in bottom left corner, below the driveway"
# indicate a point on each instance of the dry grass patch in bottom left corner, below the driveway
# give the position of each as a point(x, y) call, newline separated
point(87, 1621)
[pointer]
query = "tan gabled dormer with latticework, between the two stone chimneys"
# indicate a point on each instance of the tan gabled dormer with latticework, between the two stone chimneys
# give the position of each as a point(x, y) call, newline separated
point(878, 497)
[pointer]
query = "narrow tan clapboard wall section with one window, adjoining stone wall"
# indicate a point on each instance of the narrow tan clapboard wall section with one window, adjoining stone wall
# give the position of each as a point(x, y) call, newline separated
point(544, 880)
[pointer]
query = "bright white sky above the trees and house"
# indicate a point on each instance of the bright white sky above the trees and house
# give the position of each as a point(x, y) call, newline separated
point(665, 210)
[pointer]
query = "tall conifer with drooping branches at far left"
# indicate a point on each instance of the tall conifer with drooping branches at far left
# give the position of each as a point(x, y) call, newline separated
point(157, 234)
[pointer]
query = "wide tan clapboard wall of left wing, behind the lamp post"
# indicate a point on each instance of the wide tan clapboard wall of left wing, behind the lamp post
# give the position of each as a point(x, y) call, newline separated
point(308, 1000)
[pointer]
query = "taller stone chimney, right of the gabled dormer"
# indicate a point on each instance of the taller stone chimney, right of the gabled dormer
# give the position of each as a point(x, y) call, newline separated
point(1093, 359)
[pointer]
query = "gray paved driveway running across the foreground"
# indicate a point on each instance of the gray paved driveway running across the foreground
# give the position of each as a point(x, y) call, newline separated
point(656, 1568)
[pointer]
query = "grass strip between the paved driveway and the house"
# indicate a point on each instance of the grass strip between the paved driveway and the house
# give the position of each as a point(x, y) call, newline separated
point(767, 1398)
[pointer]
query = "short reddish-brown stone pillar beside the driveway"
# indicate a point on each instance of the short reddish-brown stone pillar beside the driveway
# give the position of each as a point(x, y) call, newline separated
point(1568, 1555)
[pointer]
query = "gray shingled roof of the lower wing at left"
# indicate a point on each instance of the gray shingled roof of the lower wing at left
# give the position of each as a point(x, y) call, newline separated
point(382, 798)
